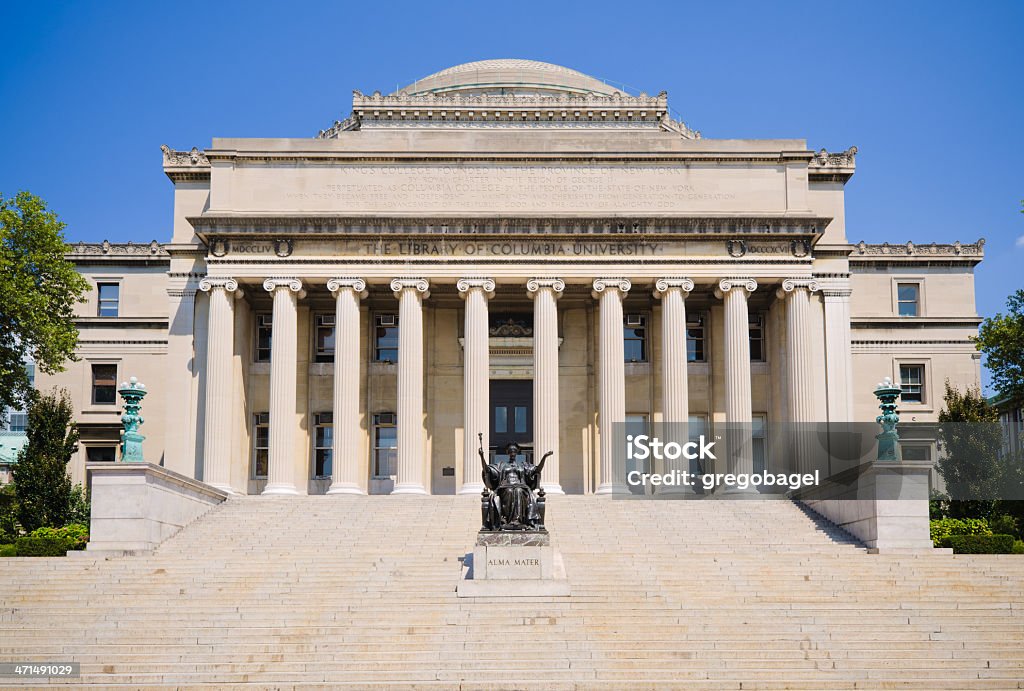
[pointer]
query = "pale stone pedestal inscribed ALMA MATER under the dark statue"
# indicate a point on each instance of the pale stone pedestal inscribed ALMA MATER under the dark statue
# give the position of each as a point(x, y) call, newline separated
point(514, 564)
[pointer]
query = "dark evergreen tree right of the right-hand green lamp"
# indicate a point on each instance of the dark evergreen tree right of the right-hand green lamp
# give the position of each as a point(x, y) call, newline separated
point(976, 473)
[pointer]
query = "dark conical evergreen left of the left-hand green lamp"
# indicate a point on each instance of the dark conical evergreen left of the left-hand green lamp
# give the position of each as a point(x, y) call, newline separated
point(41, 481)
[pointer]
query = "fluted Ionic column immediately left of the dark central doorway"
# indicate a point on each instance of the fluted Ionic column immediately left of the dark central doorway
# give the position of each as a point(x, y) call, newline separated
point(477, 379)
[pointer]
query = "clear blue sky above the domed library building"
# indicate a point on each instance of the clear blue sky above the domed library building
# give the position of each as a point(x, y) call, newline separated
point(931, 93)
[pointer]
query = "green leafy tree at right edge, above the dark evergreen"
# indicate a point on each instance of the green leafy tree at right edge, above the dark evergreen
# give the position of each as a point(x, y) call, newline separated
point(1001, 338)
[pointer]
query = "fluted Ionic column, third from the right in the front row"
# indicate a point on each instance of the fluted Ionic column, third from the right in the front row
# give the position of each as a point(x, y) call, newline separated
point(675, 387)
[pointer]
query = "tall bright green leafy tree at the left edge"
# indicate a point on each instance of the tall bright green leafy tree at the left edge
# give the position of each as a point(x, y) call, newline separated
point(38, 292)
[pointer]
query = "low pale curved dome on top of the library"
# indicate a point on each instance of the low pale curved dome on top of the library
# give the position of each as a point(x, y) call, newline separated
point(508, 77)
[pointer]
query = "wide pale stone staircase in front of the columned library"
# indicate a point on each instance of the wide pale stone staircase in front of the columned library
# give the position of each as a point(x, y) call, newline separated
point(360, 592)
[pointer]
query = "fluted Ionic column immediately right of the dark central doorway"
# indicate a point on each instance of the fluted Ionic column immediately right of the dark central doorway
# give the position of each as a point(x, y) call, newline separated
point(545, 292)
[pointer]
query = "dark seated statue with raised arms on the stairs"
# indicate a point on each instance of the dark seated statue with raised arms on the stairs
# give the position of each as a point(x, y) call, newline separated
point(514, 499)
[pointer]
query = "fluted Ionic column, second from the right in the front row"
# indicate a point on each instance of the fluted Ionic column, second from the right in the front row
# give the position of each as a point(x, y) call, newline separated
point(739, 413)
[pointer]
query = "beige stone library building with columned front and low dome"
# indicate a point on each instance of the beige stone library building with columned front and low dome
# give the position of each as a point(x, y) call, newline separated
point(516, 220)
